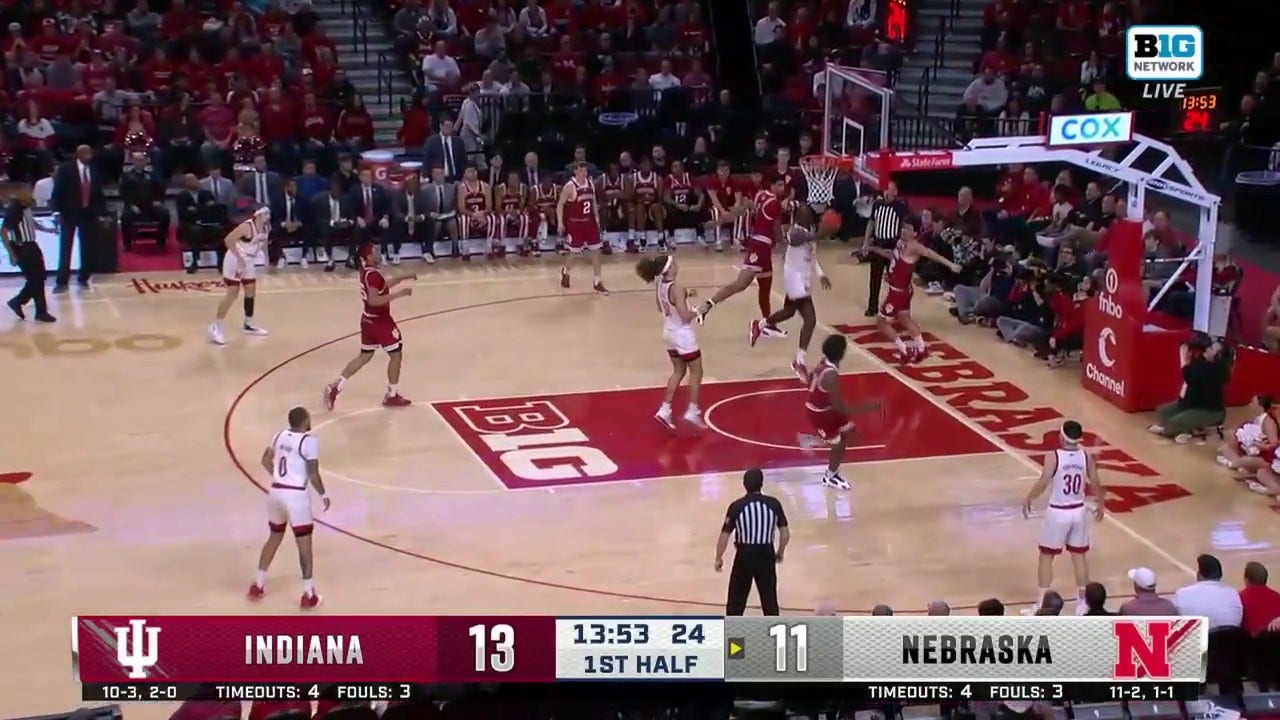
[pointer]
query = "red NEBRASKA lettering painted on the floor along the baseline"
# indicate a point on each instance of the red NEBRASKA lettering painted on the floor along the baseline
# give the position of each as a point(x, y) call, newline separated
point(1008, 412)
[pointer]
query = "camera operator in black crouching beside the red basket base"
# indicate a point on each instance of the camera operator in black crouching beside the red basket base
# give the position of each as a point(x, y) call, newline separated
point(1203, 404)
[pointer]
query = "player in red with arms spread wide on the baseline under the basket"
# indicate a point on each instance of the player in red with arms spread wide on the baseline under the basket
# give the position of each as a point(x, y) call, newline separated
point(895, 312)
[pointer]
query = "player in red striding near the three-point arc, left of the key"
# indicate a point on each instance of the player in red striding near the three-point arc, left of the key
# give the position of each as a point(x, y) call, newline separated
point(377, 329)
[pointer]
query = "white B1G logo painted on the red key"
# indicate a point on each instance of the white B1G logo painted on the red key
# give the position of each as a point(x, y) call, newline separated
point(536, 440)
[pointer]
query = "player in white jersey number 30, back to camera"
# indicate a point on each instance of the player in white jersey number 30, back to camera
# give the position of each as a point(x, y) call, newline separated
point(1068, 473)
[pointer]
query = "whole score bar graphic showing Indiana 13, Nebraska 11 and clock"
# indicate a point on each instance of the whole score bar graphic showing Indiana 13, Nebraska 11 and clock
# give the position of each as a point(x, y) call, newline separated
point(385, 658)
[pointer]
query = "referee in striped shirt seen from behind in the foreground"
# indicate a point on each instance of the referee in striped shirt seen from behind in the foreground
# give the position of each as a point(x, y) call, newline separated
point(752, 522)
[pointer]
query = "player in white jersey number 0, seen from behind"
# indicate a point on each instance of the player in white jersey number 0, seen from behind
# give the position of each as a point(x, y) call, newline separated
point(294, 463)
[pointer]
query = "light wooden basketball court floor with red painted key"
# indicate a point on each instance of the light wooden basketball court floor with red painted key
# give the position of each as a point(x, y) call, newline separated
point(529, 476)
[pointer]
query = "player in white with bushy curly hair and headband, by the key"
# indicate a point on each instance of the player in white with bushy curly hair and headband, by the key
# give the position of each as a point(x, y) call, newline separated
point(678, 332)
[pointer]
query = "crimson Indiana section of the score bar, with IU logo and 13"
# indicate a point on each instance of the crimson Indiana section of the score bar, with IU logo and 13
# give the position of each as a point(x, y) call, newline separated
point(181, 649)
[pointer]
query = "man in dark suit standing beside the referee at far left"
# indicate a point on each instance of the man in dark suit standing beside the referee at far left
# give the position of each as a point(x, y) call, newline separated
point(80, 204)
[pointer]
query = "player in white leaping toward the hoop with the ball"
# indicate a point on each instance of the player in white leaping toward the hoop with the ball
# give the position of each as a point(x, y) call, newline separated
point(799, 267)
